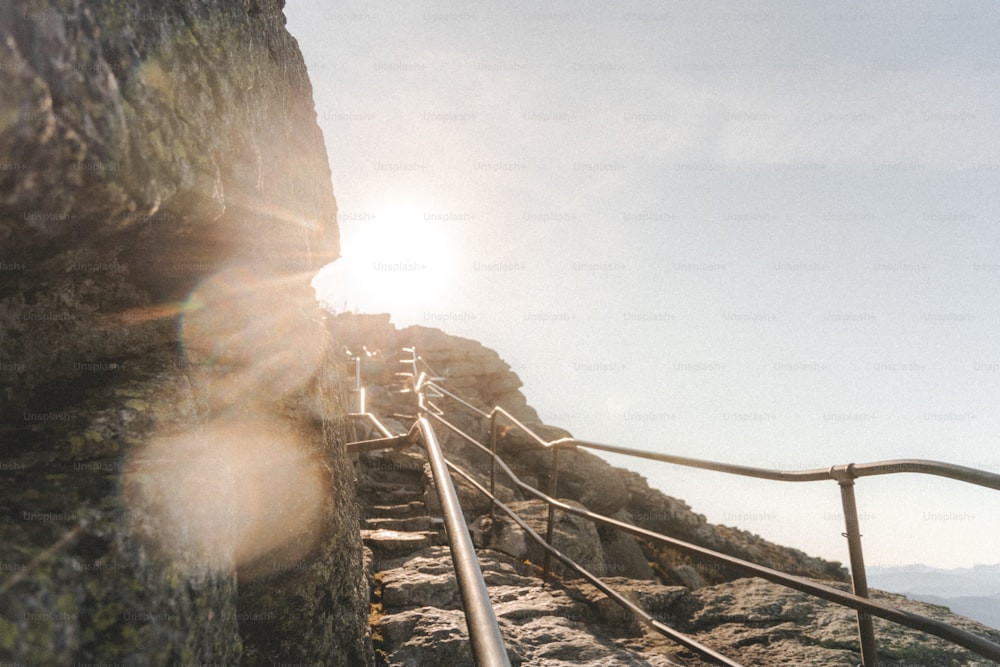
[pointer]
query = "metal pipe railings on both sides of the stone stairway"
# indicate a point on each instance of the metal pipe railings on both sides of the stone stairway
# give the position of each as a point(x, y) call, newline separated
point(425, 385)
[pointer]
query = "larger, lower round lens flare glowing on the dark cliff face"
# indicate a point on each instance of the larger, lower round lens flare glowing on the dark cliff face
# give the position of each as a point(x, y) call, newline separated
point(243, 494)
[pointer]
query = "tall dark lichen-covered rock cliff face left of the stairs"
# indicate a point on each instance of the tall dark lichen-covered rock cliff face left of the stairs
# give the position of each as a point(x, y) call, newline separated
point(174, 484)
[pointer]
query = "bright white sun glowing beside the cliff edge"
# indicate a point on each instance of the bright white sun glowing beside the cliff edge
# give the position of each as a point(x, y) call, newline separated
point(397, 259)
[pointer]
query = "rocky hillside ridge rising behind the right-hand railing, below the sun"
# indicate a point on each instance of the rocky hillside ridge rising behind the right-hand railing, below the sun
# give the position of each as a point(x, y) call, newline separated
point(484, 380)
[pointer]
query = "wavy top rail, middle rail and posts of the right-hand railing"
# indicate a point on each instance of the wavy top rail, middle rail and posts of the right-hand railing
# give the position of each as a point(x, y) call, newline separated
point(844, 475)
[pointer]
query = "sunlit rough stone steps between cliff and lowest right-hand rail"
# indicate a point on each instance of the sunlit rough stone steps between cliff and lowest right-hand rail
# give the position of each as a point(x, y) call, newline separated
point(416, 613)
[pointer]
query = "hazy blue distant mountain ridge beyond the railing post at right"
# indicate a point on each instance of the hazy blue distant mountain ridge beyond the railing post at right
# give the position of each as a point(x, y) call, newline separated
point(973, 592)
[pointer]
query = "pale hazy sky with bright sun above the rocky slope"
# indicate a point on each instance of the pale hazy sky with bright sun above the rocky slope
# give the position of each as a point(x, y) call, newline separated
point(761, 233)
